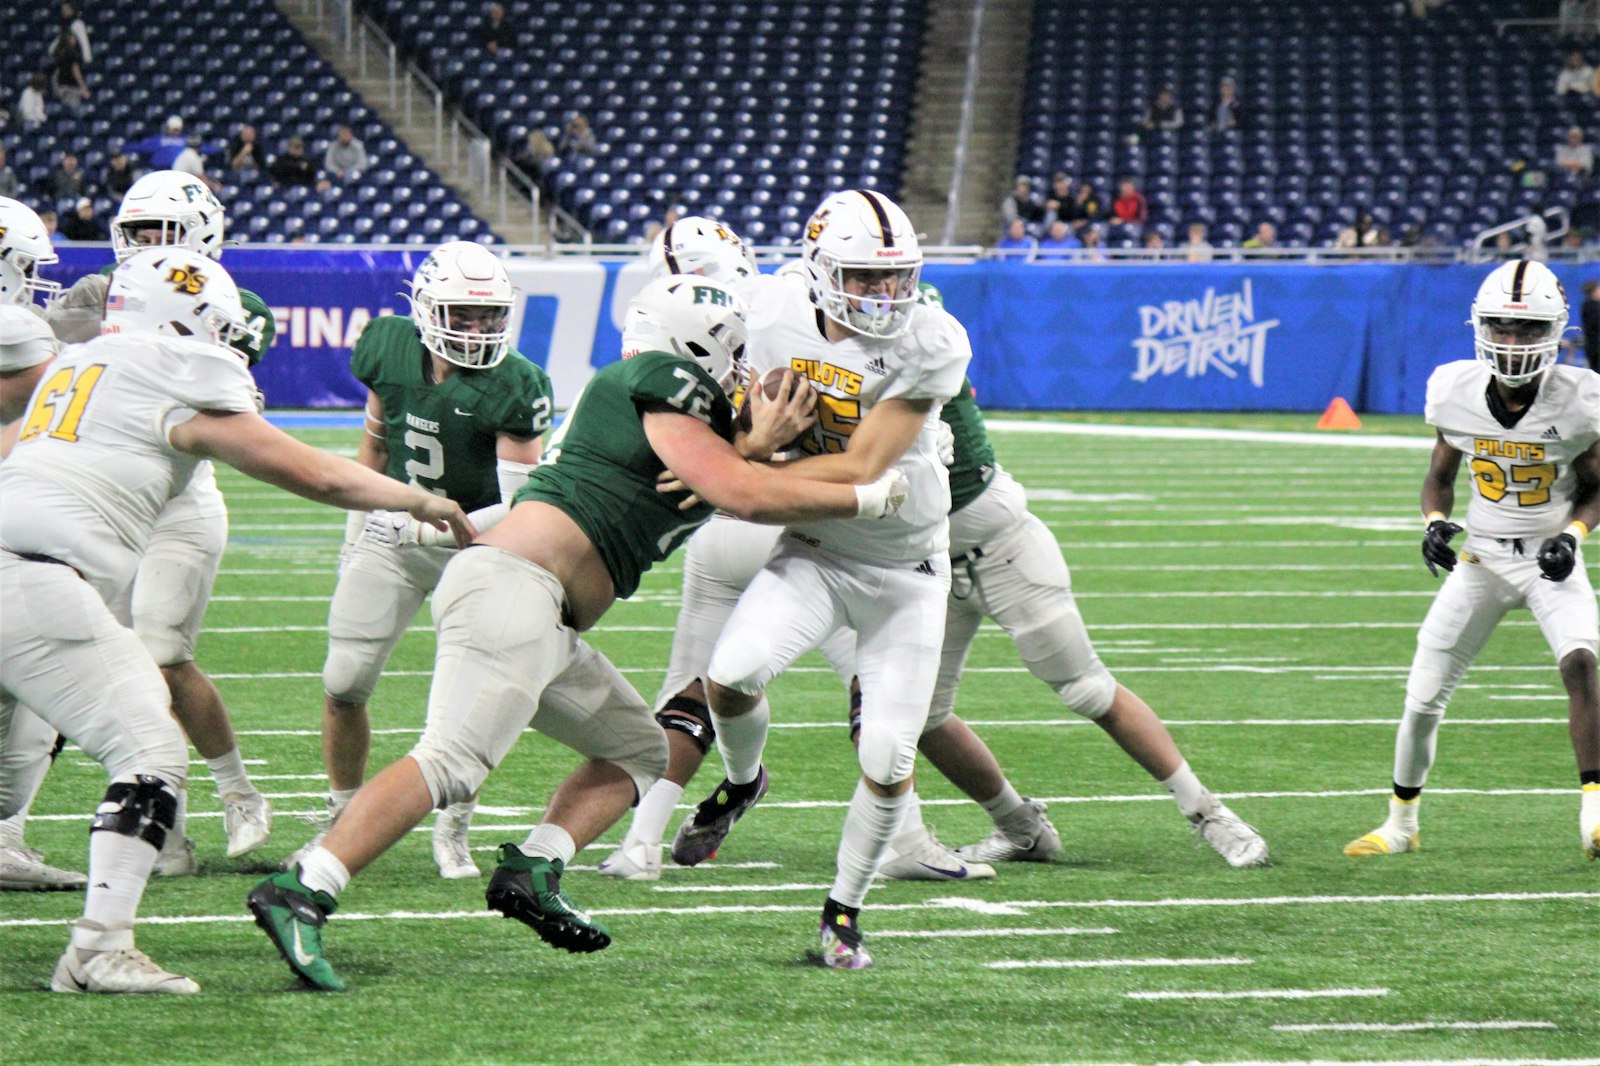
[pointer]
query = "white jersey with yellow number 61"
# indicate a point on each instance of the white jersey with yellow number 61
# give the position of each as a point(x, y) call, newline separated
point(92, 468)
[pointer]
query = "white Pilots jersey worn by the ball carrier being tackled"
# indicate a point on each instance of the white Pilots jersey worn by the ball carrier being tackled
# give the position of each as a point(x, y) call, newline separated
point(927, 364)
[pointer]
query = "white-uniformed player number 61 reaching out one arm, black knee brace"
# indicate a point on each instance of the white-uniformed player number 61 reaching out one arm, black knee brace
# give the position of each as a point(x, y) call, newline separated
point(114, 431)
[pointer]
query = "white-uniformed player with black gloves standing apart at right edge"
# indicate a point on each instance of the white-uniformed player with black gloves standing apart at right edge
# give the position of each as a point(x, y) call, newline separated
point(1530, 431)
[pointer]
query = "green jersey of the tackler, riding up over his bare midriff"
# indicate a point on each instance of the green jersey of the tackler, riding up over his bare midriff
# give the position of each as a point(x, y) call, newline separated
point(601, 470)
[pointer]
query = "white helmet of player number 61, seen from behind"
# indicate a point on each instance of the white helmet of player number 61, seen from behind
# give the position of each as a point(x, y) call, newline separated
point(175, 292)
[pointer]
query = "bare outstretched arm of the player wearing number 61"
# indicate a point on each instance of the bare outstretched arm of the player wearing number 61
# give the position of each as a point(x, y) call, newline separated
point(255, 447)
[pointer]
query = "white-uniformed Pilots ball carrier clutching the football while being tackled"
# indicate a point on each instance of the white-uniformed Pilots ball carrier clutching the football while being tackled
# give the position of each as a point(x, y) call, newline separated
point(882, 367)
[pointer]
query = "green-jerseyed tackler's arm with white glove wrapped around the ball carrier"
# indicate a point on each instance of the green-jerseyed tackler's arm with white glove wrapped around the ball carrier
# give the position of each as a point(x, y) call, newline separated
point(722, 478)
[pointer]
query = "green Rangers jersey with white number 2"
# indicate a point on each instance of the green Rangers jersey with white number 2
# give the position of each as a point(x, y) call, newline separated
point(442, 435)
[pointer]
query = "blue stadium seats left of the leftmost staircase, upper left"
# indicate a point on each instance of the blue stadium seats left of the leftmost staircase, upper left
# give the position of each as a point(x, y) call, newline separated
point(223, 63)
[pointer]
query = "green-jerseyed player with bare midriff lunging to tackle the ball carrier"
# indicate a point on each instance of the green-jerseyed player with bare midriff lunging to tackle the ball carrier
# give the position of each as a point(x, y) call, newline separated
point(508, 612)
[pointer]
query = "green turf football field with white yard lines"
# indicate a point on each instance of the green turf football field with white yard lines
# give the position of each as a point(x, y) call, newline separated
point(1262, 595)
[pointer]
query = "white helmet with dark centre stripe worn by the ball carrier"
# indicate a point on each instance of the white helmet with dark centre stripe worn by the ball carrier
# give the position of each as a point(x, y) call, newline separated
point(863, 231)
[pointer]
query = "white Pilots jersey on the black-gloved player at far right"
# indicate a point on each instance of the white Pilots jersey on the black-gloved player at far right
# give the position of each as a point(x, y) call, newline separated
point(1522, 478)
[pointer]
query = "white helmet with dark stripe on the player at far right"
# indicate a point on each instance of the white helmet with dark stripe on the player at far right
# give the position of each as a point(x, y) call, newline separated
point(1519, 319)
